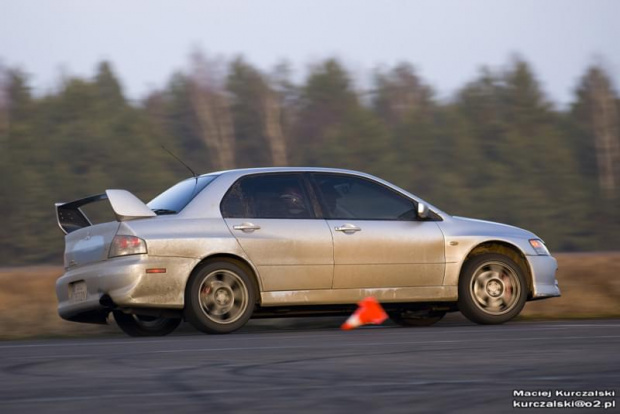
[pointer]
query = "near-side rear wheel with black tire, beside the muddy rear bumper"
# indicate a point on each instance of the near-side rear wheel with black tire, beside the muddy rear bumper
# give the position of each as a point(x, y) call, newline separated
point(220, 297)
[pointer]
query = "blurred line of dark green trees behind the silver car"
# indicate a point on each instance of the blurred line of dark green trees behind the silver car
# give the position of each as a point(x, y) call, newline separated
point(497, 150)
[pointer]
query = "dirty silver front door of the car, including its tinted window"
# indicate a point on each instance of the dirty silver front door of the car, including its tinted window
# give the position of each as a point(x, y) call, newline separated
point(378, 240)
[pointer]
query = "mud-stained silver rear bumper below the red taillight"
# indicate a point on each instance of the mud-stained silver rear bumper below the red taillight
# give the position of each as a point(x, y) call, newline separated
point(123, 282)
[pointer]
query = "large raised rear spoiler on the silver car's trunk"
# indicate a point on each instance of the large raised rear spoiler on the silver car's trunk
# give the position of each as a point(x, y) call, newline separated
point(126, 206)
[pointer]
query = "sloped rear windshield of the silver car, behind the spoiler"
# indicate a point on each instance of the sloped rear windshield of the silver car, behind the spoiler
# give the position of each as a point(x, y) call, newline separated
point(174, 199)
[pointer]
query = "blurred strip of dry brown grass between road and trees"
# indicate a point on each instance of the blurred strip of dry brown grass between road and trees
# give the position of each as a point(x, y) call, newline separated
point(590, 284)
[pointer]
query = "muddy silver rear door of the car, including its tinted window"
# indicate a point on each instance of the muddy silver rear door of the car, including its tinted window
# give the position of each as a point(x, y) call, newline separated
point(274, 221)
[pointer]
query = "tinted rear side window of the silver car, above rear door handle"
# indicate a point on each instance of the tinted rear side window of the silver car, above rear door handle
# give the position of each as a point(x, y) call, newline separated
point(268, 196)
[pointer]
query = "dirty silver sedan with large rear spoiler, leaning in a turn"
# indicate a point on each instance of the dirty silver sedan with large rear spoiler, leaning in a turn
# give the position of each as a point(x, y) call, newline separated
point(220, 248)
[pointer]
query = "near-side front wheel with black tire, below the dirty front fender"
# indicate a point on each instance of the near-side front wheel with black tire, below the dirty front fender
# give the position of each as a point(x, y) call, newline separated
point(492, 289)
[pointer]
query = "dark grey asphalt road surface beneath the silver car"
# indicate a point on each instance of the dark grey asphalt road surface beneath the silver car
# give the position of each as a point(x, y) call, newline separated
point(451, 367)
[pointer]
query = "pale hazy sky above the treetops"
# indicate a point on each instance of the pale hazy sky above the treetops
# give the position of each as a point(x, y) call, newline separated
point(447, 41)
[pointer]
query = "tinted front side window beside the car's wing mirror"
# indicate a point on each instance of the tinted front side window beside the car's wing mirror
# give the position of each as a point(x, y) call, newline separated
point(347, 197)
